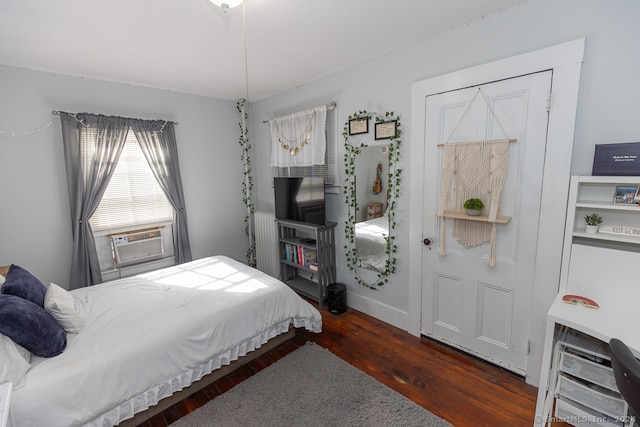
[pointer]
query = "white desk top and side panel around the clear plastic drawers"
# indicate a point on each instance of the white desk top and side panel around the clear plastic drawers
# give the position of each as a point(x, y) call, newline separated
point(612, 320)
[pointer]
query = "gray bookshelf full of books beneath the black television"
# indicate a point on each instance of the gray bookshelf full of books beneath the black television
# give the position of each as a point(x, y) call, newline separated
point(307, 257)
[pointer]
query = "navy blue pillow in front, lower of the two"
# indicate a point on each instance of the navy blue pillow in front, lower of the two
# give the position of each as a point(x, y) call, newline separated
point(31, 326)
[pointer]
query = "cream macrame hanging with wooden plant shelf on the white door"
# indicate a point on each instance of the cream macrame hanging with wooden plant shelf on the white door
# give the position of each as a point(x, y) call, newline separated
point(473, 169)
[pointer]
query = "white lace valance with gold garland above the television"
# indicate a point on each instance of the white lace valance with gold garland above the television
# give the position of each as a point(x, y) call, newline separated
point(299, 139)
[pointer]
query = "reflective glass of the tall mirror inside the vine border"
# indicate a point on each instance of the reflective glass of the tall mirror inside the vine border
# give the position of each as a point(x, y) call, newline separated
point(372, 223)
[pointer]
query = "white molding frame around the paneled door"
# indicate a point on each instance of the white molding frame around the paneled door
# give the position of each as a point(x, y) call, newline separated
point(565, 62)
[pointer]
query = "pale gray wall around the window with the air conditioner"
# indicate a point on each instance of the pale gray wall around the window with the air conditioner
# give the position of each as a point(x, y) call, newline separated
point(35, 230)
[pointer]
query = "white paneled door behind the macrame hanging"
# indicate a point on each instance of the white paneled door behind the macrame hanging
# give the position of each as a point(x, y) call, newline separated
point(465, 302)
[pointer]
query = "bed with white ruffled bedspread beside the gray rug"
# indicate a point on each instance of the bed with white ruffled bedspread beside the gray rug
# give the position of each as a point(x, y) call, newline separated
point(147, 337)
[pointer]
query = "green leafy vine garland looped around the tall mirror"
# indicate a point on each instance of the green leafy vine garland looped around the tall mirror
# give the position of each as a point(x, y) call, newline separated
point(393, 192)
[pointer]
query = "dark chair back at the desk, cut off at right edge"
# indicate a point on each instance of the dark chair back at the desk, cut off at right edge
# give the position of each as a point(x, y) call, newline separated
point(626, 370)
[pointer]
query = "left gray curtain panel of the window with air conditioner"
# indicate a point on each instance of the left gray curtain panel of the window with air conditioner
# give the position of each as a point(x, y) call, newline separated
point(92, 147)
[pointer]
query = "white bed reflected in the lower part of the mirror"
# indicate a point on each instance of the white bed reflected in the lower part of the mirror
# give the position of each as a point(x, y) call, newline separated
point(371, 243)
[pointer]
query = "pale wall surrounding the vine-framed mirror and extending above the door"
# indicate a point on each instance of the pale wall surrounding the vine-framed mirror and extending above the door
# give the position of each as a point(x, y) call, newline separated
point(607, 110)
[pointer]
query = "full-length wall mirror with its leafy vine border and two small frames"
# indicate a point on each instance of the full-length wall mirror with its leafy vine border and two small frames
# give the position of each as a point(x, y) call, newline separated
point(372, 188)
